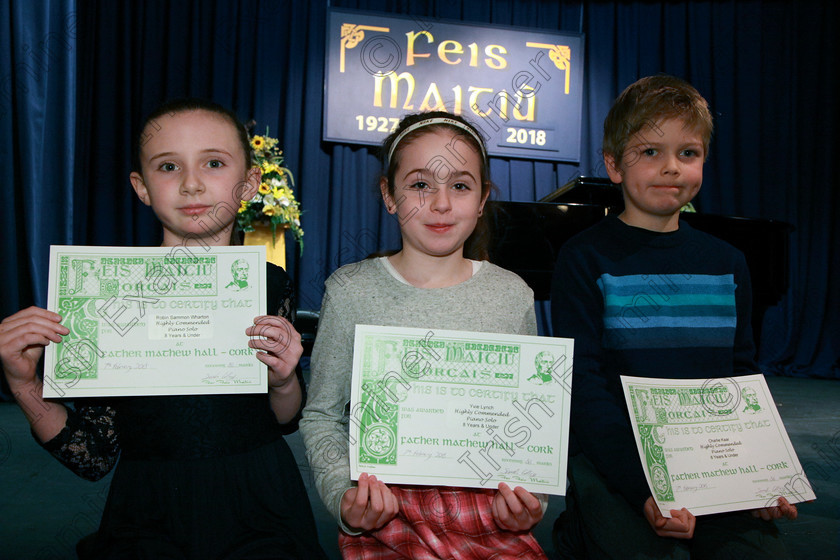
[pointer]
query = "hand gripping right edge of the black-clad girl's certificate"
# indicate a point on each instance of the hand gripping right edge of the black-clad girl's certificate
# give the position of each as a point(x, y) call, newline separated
point(279, 345)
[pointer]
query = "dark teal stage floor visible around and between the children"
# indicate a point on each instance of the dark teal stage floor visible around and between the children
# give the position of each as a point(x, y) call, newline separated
point(45, 509)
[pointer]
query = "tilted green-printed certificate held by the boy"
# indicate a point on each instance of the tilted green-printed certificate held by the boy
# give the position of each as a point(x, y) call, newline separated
point(713, 445)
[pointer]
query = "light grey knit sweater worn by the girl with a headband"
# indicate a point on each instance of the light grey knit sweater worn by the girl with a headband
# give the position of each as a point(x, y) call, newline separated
point(493, 300)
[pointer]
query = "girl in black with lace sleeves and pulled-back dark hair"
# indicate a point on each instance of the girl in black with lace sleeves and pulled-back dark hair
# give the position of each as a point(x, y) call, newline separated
point(199, 477)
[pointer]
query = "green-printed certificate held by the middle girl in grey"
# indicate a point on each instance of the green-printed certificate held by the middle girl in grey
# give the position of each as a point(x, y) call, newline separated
point(451, 408)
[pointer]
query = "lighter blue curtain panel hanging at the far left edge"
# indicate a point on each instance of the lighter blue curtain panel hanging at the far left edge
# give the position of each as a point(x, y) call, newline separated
point(37, 143)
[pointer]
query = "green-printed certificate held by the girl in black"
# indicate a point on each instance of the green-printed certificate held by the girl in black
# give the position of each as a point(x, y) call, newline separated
point(155, 320)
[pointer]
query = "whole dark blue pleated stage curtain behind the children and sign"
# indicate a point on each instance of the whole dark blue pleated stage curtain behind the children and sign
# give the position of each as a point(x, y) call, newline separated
point(67, 116)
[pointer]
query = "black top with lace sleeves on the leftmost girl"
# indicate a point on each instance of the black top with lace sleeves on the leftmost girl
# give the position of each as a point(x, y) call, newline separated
point(172, 427)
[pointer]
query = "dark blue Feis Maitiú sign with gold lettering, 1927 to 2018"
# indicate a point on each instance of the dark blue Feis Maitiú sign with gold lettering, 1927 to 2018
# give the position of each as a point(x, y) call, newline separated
point(522, 88)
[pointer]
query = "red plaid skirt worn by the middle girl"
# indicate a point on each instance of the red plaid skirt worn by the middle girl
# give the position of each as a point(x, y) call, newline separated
point(441, 523)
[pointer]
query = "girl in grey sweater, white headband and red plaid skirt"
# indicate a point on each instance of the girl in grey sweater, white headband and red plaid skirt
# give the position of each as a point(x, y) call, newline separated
point(436, 183)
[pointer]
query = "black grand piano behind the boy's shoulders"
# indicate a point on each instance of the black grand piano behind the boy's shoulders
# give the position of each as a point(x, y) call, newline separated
point(526, 237)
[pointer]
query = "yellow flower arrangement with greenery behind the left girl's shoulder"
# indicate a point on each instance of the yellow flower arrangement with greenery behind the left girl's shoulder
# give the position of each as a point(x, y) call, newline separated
point(274, 204)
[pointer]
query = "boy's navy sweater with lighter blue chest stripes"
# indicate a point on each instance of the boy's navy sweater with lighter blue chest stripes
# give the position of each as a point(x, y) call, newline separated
point(647, 304)
